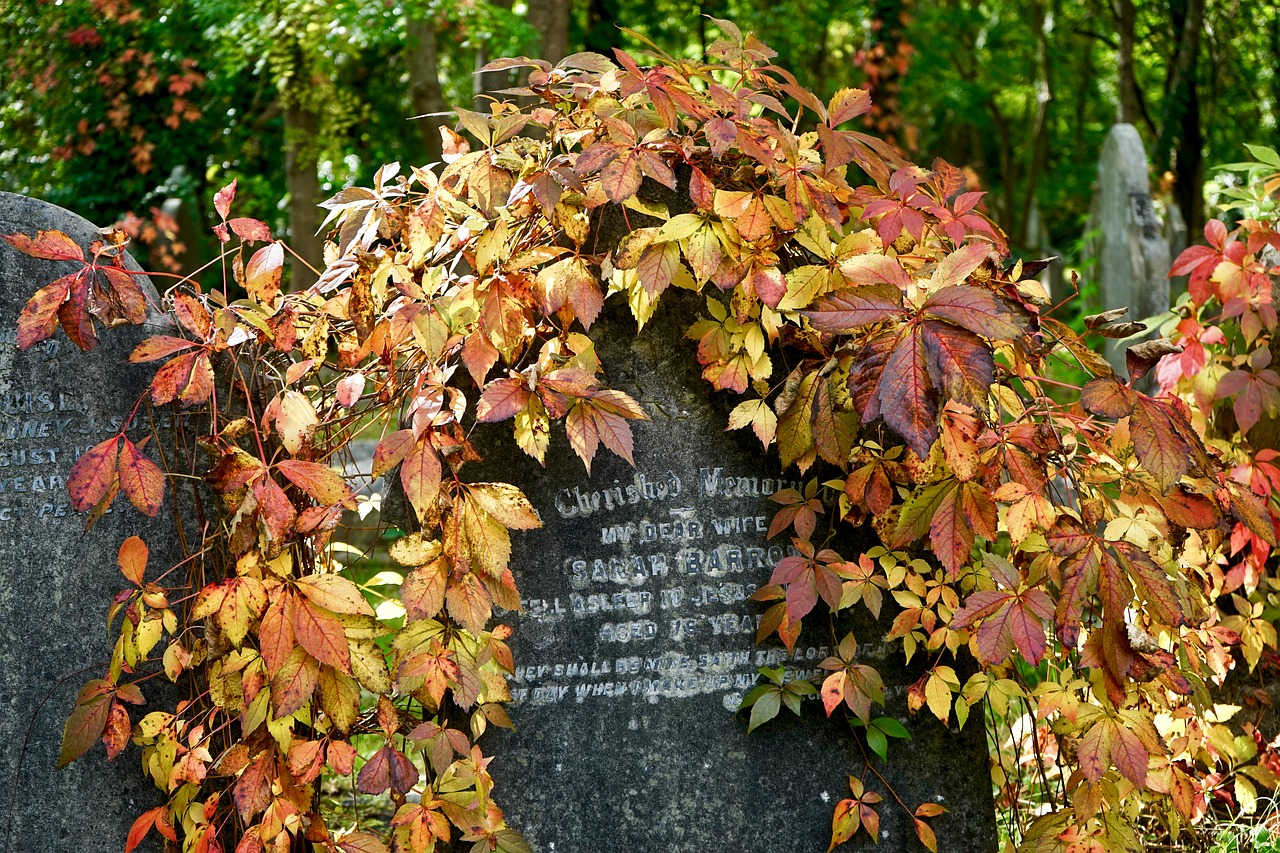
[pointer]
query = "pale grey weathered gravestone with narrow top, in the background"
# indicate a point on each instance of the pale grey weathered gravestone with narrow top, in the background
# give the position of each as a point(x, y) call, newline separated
point(1130, 249)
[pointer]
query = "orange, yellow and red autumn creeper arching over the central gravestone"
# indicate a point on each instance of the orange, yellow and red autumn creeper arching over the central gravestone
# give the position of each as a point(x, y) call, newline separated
point(1069, 542)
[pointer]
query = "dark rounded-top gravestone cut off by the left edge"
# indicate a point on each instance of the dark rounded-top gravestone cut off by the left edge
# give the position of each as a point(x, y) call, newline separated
point(57, 582)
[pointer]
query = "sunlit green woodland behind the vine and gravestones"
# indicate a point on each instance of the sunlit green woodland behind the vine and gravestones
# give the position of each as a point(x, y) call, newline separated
point(139, 111)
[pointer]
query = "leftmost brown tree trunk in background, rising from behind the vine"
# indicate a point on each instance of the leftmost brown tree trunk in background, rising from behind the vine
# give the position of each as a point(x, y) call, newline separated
point(301, 129)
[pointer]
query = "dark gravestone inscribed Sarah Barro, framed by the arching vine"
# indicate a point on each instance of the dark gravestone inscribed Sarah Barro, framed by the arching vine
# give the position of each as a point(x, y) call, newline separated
point(638, 642)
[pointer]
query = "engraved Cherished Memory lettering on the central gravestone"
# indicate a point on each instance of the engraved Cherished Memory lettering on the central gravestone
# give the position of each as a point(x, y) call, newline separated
point(664, 594)
